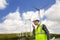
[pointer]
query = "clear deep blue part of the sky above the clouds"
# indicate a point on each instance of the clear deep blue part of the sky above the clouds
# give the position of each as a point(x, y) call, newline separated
point(25, 5)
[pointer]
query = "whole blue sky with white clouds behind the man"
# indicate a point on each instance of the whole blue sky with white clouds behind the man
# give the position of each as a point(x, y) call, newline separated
point(15, 15)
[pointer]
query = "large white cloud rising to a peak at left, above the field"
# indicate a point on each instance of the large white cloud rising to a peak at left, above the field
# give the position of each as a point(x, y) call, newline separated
point(12, 22)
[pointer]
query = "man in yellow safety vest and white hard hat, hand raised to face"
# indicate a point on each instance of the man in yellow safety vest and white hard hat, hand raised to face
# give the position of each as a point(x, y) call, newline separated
point(40, 32)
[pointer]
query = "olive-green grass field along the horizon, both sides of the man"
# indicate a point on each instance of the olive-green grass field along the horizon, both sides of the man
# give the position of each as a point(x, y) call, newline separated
point(19, 35)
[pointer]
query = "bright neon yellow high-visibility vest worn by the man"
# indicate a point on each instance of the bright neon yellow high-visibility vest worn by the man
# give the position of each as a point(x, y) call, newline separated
point(40, 33)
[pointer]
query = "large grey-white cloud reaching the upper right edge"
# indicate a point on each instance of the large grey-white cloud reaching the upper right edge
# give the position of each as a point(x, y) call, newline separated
point(54, 12)
